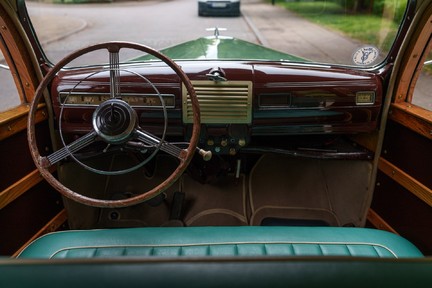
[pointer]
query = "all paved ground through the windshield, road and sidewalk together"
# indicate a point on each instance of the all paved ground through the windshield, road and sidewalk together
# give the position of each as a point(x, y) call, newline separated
point(161, 24)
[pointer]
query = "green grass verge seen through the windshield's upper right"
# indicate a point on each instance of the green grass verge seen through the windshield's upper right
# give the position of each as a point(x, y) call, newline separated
point(367, 28)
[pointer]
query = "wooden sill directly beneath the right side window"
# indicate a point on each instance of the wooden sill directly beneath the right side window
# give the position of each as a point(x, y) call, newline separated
point(413, 117)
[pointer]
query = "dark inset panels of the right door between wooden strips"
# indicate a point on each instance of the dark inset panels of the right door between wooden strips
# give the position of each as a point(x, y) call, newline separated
point(404, 211)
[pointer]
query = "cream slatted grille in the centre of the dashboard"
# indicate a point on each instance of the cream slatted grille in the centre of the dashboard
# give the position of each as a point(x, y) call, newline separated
point(222, 102)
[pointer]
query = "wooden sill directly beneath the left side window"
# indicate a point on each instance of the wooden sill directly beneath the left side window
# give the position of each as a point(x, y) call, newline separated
point(15, 120)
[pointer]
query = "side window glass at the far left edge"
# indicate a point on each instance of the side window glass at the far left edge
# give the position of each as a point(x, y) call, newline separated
point(9, 97)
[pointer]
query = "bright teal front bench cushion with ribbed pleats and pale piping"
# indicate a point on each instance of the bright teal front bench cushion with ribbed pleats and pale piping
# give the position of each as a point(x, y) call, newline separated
point(221, 241)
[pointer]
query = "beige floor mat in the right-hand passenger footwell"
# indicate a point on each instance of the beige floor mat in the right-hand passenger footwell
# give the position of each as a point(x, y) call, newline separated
point(309, 189)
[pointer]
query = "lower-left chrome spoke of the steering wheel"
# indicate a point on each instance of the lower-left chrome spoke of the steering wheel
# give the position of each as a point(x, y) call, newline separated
point(69, 149)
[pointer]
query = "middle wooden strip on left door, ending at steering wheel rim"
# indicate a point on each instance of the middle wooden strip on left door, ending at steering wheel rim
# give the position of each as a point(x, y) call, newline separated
point(17, 189)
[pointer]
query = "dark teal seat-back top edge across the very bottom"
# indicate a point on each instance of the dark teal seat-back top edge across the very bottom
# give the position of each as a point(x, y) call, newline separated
point(208, 272)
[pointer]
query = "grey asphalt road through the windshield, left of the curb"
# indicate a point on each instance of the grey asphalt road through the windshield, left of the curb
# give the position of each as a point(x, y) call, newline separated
point(157, 24)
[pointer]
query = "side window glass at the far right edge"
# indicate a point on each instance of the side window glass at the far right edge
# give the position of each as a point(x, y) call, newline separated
point(423, 90)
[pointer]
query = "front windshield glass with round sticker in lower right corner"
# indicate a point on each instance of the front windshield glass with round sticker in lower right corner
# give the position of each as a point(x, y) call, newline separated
point(345, 32)
